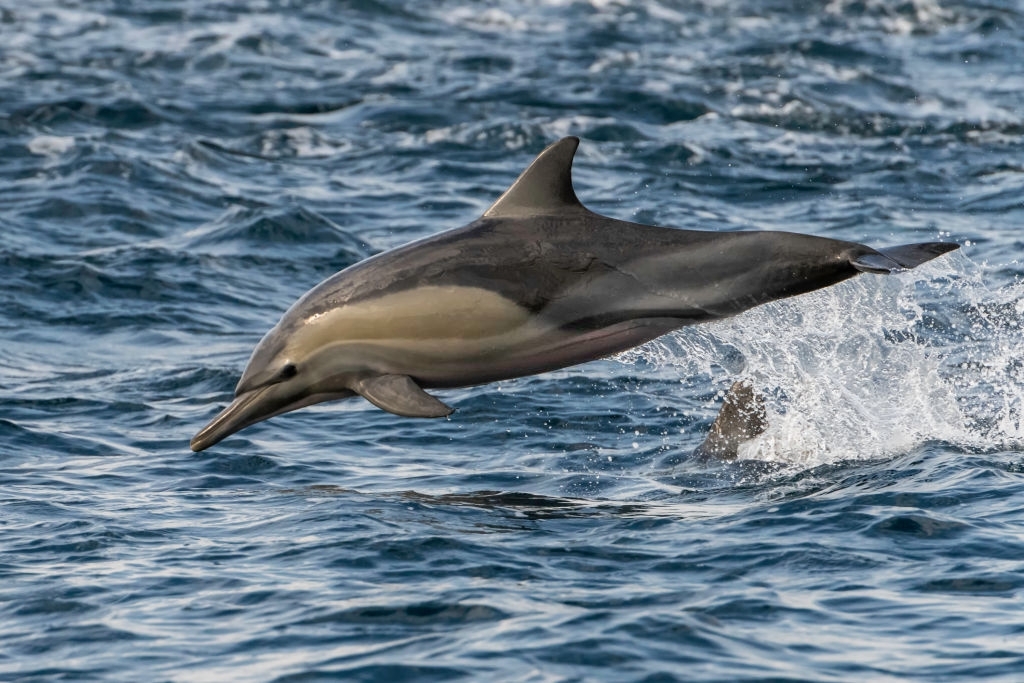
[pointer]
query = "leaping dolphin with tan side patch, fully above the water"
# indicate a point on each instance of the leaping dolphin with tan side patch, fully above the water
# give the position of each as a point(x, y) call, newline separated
point(538, 283)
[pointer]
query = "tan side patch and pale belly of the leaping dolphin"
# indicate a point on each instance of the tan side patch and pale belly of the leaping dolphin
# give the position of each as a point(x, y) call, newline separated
point(458, 336)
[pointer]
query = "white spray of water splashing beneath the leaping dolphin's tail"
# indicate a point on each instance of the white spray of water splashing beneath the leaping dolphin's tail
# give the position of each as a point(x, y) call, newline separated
point(872, 368)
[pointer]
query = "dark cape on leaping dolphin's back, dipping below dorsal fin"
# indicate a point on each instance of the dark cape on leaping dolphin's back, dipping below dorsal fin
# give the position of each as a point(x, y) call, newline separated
point(552, 255)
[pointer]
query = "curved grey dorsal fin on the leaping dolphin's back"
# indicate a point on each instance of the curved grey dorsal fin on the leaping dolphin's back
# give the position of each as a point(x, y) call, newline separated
point(544, 189)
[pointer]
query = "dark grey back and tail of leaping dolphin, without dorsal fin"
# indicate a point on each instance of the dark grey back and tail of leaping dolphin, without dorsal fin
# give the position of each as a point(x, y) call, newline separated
point(583, 271)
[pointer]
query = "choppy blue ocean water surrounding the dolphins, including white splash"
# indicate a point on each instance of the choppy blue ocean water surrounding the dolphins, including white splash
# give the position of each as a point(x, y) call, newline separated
point(175, 175)
